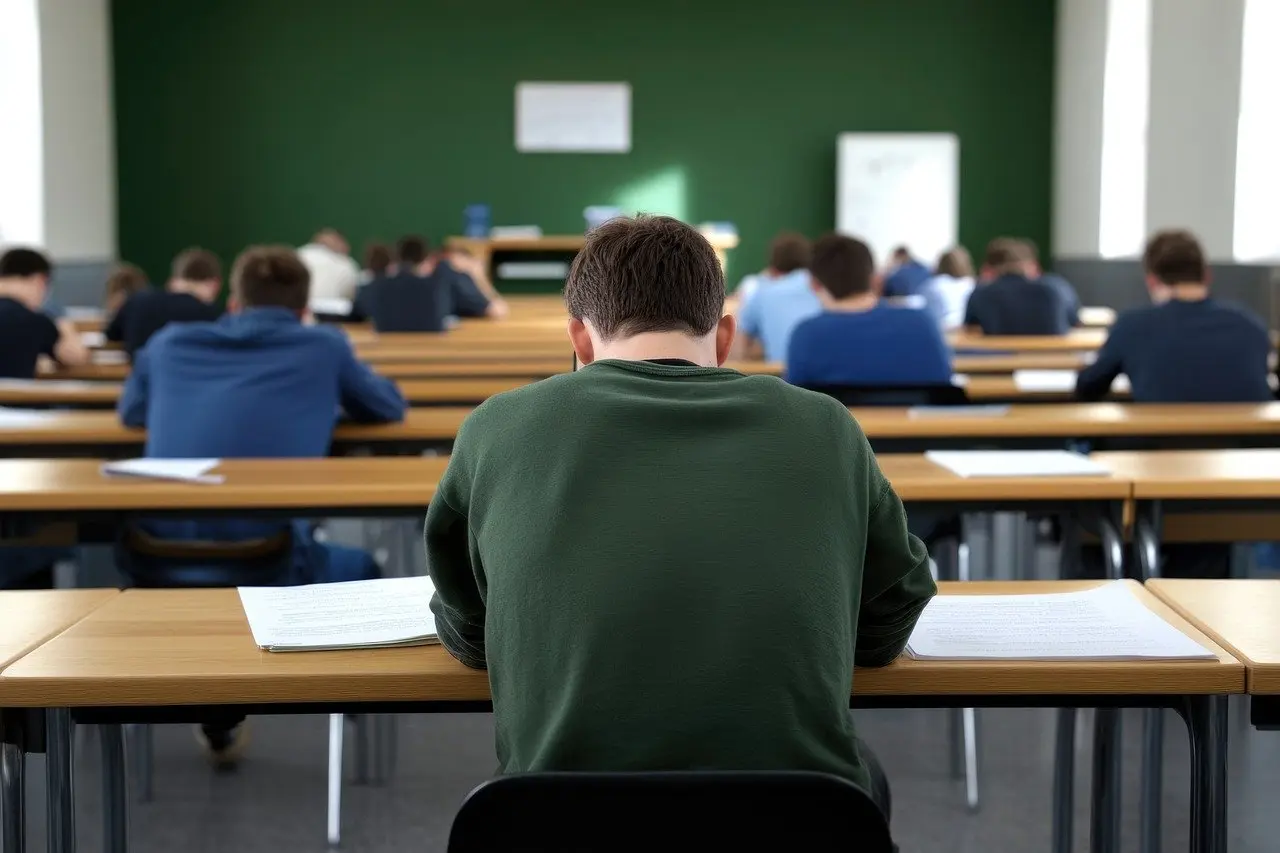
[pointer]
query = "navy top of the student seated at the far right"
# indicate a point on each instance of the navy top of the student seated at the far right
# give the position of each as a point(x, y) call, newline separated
point(1204, 352)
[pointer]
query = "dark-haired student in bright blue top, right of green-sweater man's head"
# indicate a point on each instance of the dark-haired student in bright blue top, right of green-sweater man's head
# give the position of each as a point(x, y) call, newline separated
point(858, 340)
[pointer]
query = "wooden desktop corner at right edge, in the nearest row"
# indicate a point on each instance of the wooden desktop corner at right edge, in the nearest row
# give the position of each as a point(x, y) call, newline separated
point(1242, 615)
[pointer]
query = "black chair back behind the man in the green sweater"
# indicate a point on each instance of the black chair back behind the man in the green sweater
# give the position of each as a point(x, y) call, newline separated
point(670, 813)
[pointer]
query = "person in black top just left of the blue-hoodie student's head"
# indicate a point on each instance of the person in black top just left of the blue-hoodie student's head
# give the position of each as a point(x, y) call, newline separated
point(190, 297)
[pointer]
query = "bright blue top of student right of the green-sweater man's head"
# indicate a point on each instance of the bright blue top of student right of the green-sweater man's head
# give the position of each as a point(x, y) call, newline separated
point(886, 346)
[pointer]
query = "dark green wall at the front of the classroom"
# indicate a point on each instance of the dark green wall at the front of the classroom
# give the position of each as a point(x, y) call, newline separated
point(259, 121)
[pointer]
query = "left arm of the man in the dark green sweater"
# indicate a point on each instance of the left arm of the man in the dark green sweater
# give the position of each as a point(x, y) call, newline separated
point(454, 563)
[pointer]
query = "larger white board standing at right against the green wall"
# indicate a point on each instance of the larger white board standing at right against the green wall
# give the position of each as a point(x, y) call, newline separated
point(899, 190)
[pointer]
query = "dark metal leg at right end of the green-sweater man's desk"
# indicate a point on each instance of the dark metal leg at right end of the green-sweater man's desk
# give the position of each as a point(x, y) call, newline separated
point(1206, 727)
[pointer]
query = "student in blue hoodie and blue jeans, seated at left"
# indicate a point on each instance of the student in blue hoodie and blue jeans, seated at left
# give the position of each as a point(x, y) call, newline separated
point(258, 384)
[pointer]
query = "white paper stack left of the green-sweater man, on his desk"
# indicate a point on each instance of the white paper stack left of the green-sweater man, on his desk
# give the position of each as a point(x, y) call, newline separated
point(360, 614)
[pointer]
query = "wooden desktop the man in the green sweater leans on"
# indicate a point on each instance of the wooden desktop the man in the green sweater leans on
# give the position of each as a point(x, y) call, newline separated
point(166, 647)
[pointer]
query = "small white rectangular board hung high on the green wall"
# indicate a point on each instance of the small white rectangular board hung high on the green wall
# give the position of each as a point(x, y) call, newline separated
point(592, 118)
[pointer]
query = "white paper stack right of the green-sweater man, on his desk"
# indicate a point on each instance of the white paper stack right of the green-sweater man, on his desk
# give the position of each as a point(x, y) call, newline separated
point(1103, 624)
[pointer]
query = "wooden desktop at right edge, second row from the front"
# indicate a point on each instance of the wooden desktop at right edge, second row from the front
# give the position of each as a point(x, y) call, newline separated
point(1199, 475)
